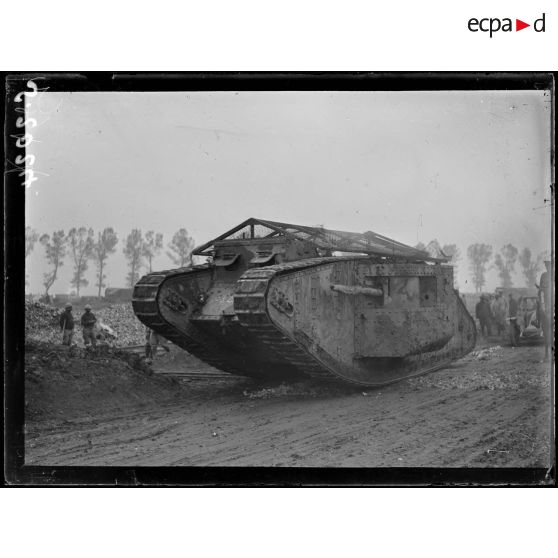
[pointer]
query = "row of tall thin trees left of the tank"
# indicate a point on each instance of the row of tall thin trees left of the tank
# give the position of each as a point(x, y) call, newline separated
point(84, 246)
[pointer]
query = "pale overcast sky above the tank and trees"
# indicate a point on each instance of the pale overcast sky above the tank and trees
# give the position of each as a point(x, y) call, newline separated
point(457, 166)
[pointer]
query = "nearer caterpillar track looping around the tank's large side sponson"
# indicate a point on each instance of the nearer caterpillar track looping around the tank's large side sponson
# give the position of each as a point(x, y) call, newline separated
point(259, 323)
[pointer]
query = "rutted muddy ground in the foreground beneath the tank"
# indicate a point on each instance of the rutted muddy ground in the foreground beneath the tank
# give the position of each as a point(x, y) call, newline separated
point(491, 408)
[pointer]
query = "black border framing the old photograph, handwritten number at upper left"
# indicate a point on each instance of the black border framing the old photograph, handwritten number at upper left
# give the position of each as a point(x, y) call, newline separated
point(18, 474)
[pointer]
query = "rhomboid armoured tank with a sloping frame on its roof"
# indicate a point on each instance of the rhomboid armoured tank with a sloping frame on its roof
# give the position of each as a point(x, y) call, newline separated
point(277, 300)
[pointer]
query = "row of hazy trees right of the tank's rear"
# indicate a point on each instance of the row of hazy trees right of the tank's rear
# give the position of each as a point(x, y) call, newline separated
point(482, 258)
